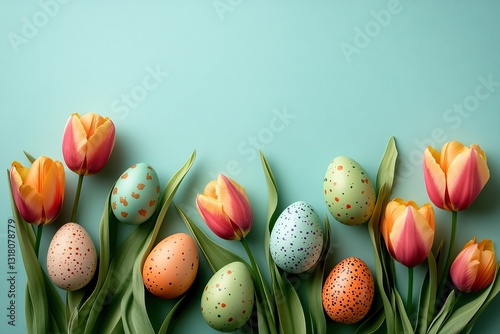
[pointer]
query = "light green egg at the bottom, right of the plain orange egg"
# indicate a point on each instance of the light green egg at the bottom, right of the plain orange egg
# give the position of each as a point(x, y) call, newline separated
point(228, 298)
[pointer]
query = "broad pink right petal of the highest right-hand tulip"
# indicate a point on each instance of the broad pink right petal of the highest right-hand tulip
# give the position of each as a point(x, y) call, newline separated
point(467, 175)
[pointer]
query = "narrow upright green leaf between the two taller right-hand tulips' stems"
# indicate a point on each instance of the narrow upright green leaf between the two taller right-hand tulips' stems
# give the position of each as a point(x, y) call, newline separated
point(427, 296)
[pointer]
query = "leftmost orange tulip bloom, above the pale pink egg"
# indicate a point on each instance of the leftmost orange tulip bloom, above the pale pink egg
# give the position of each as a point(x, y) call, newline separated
point(38, 190)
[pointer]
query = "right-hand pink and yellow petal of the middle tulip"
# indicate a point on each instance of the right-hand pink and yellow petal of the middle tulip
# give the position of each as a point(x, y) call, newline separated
point(235, 202)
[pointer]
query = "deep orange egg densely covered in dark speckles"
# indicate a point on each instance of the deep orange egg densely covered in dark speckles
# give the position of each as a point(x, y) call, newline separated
point(348, 291)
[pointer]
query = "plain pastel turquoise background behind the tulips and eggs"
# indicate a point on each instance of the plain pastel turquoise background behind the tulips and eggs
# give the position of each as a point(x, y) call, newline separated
point(303, 81)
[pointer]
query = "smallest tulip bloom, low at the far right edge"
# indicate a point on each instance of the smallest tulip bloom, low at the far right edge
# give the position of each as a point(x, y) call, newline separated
point(474, 267)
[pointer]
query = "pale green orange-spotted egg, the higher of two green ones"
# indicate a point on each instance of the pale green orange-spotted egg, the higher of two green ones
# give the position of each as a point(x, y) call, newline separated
point(349, 193)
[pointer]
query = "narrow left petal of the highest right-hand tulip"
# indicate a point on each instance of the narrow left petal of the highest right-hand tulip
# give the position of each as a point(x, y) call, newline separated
point(435, 179)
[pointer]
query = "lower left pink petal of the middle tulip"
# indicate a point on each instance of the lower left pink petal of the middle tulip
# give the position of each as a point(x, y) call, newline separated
point(215, 218)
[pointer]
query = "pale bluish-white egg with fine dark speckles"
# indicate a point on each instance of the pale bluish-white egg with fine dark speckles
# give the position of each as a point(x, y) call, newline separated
point(296, 239)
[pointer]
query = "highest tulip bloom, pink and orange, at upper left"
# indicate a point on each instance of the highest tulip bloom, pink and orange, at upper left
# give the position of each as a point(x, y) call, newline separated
point(87, 143)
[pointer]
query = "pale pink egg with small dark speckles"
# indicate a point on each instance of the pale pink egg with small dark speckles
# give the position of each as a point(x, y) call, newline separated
point(71, 258)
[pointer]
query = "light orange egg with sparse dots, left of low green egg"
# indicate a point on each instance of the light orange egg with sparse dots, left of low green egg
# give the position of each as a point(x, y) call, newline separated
point(171, 267)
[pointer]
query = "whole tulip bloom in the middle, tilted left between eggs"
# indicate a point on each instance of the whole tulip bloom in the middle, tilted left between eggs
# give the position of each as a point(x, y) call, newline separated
point(225, 208)
